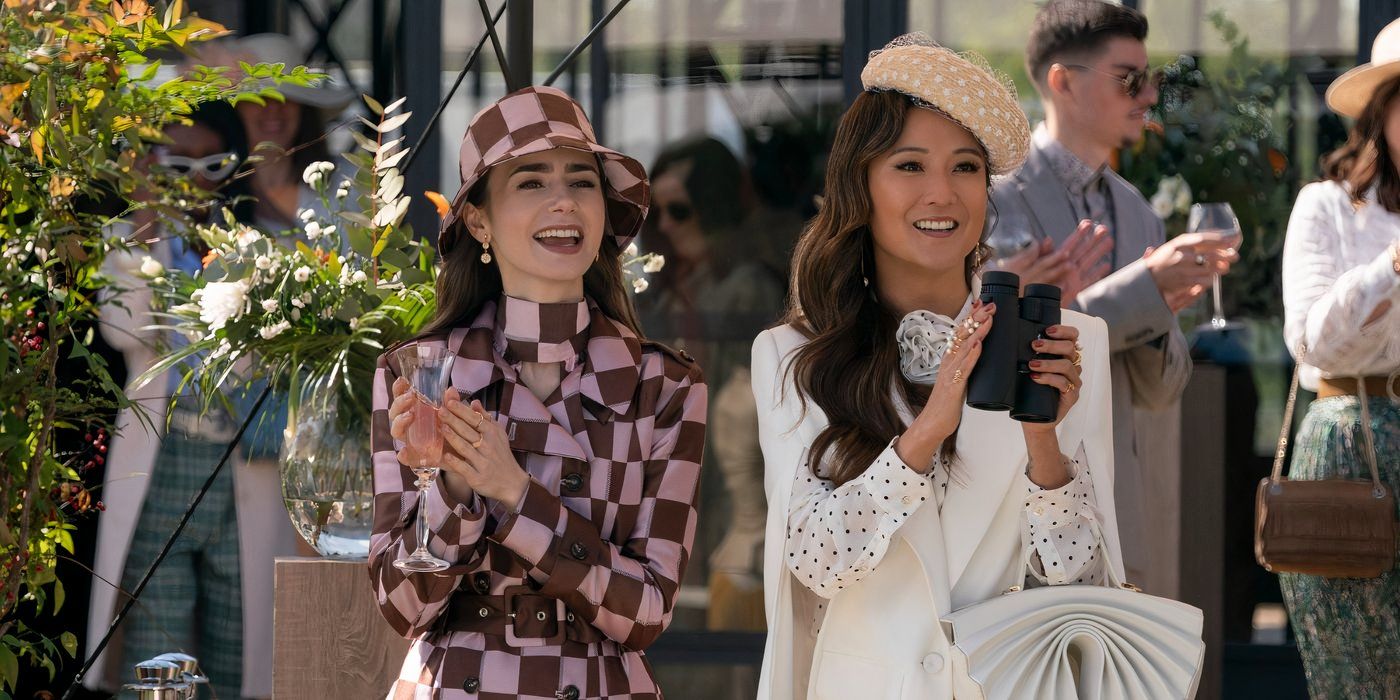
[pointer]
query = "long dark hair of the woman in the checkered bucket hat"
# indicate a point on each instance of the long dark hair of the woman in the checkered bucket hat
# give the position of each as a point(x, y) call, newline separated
point(465, 283)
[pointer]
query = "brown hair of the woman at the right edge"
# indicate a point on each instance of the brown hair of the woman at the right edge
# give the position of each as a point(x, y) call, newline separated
point(1366, 159)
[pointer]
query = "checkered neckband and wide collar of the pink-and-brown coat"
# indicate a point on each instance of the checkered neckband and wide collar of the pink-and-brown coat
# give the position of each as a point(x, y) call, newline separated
point(607, 352)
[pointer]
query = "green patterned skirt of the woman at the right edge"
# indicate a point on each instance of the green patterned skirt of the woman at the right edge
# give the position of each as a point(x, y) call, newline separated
point(1349, 629)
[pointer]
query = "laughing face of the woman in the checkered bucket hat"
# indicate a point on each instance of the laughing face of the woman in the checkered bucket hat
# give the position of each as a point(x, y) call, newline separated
point(545, 216)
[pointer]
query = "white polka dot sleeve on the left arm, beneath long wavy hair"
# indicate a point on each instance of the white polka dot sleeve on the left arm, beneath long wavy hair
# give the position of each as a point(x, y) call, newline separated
point(839, 534)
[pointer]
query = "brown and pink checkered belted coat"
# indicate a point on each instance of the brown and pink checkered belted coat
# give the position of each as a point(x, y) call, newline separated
point(559, 598)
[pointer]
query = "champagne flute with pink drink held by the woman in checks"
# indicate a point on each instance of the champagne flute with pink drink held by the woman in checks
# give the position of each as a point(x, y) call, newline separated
point(429, 372)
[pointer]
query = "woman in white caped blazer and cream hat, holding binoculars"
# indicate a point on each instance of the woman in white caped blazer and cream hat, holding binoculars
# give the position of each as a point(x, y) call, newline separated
point(892, 503)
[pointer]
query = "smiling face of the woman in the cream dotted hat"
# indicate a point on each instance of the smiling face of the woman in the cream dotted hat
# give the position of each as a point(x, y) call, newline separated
point(929, 198)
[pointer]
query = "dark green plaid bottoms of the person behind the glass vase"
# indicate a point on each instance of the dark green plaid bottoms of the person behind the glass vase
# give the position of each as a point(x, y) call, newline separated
point(194, 603)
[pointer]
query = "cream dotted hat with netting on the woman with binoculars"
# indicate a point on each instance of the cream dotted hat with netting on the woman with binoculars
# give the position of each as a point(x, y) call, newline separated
point(961, 86)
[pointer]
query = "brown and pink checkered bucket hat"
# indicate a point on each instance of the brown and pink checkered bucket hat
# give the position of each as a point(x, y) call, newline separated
point(537, 120)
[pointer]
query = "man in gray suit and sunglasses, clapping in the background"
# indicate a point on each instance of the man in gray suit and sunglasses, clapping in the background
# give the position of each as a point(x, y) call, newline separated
point(1102, 244)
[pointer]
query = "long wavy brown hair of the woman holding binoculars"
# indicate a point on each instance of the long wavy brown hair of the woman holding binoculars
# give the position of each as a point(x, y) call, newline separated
point(850, 360)
